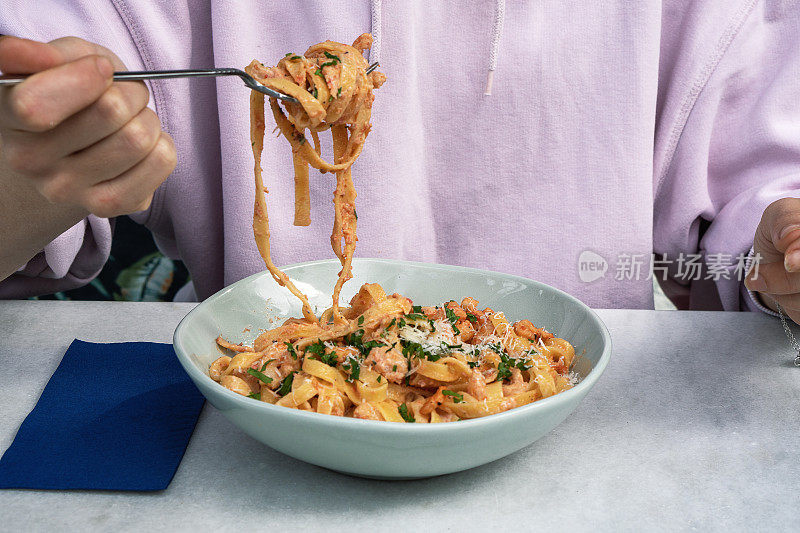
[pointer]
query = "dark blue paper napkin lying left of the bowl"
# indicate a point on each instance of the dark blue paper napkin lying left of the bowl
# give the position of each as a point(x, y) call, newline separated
point(112, 417)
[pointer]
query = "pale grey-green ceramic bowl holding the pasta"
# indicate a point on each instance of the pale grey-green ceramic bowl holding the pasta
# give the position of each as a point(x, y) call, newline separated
point(383, 449)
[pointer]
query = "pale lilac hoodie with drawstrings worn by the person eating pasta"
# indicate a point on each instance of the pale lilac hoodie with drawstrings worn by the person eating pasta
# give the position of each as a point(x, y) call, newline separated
point(614, 130)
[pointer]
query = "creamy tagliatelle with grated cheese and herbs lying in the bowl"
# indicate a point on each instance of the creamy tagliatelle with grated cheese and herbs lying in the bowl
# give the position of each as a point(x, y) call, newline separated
point(394, 361)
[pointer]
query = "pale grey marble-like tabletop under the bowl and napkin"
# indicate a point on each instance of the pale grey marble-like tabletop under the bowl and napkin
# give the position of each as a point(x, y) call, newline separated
point(695, 425)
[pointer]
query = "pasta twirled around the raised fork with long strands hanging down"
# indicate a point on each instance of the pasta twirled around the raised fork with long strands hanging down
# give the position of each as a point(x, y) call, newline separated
point(334, 92)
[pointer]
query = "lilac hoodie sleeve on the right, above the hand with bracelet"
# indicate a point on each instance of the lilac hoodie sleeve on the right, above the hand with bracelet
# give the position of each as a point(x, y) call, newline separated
point(727, 139)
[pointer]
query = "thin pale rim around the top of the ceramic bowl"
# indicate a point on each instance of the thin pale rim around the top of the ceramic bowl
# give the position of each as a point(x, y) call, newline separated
point(355, 423)
